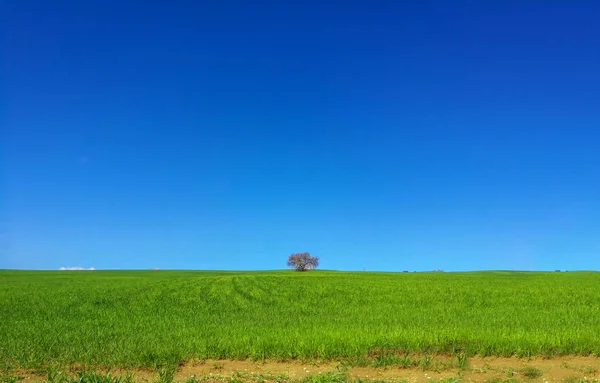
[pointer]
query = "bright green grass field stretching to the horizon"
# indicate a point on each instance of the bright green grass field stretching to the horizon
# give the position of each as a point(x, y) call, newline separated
point(153, 318)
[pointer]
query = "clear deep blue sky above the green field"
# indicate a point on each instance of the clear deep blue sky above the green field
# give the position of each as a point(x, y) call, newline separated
point(385, 135)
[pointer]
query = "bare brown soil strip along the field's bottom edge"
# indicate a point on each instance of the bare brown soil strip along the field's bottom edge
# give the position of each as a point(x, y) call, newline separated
point(478, 370)
